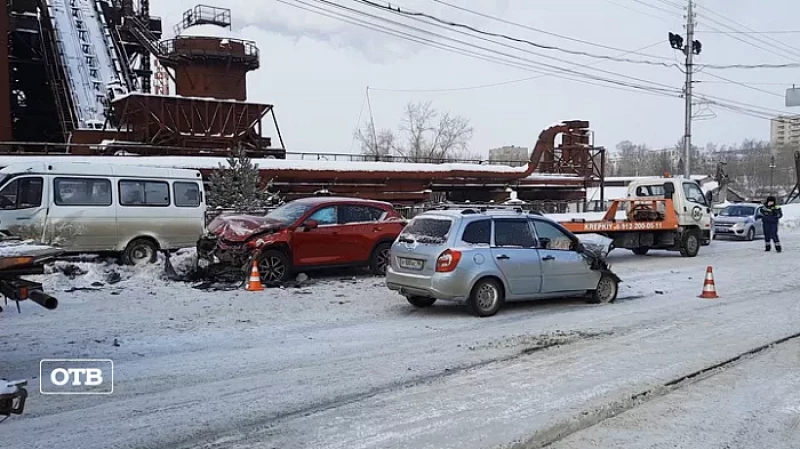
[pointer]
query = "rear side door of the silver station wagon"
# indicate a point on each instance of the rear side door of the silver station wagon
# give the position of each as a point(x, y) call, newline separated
point(514, 251)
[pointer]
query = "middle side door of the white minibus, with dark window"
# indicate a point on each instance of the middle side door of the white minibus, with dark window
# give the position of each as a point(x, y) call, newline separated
point(82, 216)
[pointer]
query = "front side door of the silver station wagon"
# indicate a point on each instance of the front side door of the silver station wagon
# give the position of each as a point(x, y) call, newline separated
point(563, 268)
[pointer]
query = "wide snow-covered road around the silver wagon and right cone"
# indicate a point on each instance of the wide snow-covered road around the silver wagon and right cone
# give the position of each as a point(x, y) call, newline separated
point(347, 364)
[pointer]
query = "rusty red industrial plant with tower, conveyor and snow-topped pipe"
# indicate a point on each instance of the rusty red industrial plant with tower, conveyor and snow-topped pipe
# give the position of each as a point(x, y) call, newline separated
point(77, 81)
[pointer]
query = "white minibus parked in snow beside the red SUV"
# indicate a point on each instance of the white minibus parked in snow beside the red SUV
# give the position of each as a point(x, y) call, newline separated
point(85, 207)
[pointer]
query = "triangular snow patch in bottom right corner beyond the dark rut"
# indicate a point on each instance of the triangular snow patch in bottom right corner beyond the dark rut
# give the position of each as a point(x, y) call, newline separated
point(752, 405)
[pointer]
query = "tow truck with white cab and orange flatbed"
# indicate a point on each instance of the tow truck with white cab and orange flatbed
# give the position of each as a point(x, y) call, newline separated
point(665, 213)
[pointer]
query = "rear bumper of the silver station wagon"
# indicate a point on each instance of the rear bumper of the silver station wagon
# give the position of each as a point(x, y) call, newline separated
point(441, 286)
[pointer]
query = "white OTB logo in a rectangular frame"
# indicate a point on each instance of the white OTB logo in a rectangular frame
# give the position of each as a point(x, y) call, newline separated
point(76, 376)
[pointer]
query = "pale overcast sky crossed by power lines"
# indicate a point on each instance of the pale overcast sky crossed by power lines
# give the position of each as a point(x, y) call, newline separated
point(315, 69)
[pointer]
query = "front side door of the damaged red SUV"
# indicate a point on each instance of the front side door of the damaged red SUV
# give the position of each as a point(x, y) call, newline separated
point(318, 246)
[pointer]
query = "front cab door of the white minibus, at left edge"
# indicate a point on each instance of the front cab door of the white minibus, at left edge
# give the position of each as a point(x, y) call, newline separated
point(23, 206)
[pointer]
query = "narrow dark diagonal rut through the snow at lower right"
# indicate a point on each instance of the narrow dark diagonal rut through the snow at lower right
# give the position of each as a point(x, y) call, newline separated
point(590, 418)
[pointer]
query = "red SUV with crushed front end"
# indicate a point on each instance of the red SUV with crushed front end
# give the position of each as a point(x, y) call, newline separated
point(306, 234)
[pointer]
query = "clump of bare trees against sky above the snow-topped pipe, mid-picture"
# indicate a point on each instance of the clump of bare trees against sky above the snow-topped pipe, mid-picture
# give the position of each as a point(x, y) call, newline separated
point(426, 135)
